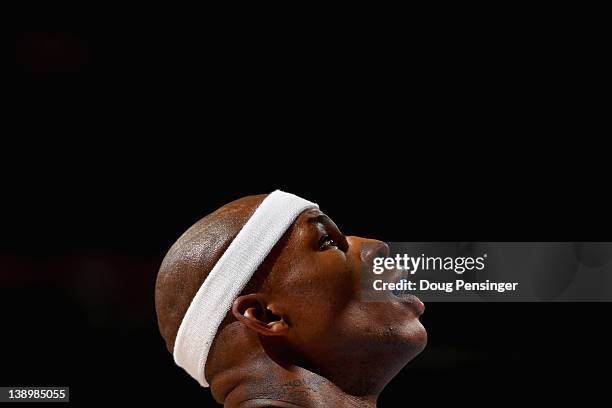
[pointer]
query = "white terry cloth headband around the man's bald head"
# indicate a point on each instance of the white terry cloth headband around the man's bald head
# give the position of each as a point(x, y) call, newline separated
point(230, 275)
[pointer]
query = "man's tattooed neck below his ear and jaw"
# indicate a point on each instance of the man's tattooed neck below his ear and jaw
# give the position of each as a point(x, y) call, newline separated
point(256, 379)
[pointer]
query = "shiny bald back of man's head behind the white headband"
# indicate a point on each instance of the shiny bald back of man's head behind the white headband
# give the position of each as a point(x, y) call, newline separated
point(192, 257)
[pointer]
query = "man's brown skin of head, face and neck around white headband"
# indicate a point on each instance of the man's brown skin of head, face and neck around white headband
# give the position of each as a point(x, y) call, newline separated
point(298, 335)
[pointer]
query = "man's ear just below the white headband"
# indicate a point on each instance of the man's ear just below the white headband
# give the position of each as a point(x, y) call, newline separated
point(253, 311)
